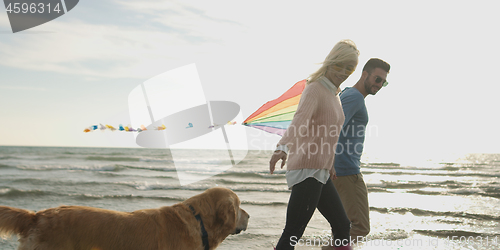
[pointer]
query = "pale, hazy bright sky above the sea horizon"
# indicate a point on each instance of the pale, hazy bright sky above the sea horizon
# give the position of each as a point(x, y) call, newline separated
point(60, 77)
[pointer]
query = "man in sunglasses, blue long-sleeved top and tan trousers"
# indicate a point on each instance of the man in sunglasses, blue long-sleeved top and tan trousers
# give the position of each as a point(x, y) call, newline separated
point(349, 183)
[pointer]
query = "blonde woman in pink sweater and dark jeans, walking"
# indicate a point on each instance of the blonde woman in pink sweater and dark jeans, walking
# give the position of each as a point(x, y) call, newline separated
point(309, 143)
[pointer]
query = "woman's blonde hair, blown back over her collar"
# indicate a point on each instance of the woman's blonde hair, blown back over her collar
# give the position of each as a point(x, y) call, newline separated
point(345, 50)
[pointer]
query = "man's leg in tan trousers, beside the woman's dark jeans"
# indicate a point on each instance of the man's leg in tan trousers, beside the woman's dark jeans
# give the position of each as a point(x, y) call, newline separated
point(354, 195)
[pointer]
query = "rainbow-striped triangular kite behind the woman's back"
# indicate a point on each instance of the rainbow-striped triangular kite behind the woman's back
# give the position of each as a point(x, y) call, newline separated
point(275, 116)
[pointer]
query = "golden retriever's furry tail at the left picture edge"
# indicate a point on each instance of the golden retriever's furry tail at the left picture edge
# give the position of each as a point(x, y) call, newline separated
point(15, 221)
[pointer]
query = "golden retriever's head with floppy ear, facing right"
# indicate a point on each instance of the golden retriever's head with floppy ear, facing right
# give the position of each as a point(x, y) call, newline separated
point(220, 211)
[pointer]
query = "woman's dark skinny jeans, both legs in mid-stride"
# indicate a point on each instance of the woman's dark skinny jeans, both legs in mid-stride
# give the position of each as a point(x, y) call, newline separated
point(304, 199)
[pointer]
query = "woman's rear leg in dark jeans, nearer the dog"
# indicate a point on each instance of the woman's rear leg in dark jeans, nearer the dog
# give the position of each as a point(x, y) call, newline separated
point(301, 206)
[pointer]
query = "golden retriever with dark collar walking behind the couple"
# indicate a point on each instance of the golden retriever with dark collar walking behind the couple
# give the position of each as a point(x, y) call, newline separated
point(177, 227)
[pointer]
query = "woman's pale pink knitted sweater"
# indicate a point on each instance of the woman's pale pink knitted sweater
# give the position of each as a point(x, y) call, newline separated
point(312, 136)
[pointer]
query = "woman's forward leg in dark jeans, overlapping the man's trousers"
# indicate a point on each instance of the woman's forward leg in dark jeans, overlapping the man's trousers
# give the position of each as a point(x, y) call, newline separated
point(330, 206)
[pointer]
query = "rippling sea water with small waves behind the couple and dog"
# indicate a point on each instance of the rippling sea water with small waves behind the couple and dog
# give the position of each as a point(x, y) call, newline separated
point(421, 205)
